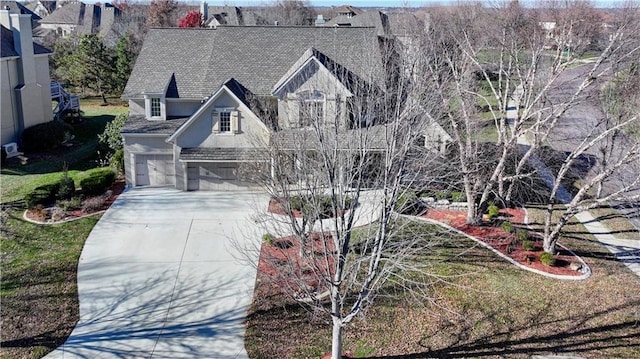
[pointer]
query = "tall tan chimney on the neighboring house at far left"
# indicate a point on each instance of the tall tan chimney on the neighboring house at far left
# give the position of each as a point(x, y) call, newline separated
point(23, 42)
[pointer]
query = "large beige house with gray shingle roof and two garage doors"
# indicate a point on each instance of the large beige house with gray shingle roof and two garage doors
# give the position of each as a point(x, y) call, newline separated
point(203, 102)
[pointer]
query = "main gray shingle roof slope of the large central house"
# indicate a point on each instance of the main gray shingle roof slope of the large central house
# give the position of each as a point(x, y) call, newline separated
point(257, 57)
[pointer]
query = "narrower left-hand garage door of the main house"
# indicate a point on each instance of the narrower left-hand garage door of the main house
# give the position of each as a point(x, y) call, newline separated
point(155, 170)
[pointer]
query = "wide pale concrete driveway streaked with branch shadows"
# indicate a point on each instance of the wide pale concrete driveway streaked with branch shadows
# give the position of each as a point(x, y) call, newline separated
point(161, 276)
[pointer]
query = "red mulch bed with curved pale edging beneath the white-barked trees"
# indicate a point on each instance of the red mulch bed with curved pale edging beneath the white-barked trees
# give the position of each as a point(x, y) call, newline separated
point(500, 240)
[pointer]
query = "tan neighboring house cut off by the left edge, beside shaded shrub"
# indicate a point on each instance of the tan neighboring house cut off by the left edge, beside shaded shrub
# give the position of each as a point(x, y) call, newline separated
point(25, 83)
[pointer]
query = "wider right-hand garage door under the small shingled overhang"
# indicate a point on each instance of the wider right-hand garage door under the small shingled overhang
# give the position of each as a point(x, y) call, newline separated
point(214, 176)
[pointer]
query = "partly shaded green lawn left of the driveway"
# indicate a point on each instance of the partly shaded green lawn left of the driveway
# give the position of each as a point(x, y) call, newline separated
point(38, 290)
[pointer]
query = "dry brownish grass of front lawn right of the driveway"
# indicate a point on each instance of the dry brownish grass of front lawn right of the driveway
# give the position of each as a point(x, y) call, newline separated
point(497, 311)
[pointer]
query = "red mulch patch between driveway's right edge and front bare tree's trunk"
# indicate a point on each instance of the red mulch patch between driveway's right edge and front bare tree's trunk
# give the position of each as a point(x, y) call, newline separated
point(281, 267)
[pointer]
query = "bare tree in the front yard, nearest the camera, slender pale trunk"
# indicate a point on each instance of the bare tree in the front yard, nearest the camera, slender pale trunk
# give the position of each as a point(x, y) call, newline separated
point(348, 167)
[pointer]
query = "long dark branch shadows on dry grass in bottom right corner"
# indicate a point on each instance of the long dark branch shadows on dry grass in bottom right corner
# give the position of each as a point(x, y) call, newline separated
point(625, 333)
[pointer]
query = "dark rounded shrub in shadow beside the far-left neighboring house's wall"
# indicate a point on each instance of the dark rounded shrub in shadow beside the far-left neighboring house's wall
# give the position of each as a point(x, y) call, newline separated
point(45, 136)
